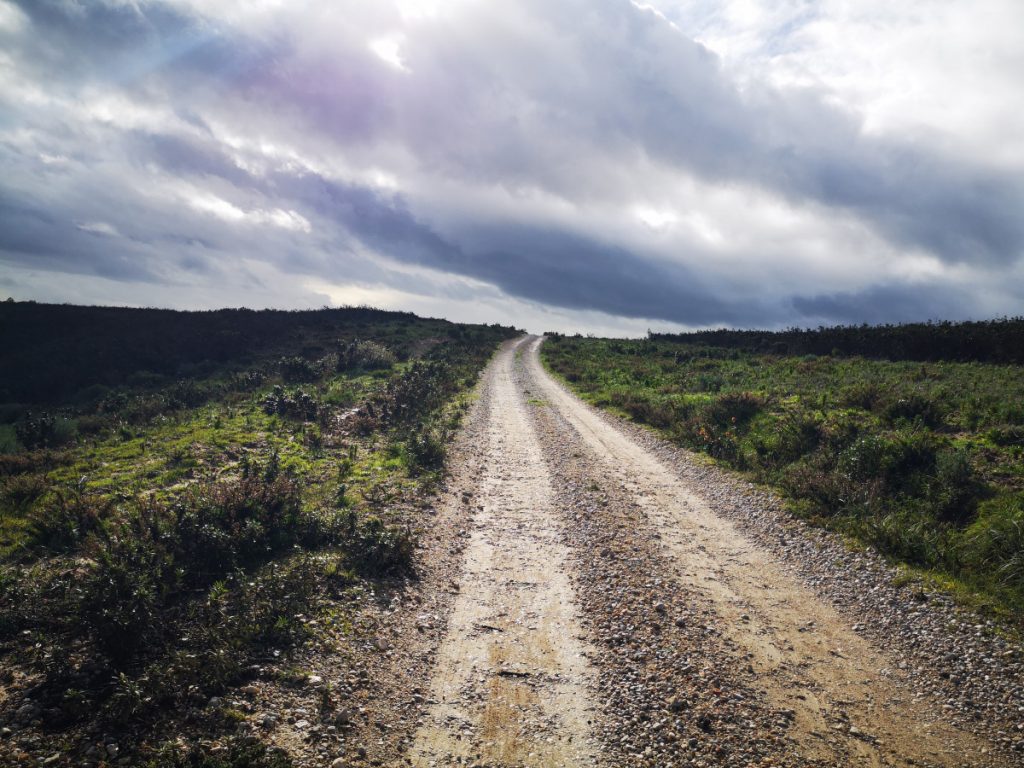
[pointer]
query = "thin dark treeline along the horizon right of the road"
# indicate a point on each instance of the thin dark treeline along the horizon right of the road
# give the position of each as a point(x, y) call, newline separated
point(986, 342)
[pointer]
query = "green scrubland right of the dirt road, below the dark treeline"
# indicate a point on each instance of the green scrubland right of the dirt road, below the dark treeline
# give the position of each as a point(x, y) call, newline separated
point(924, 461)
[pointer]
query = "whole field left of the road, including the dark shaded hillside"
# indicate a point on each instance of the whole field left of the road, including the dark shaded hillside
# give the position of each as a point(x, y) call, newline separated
point(185, 495)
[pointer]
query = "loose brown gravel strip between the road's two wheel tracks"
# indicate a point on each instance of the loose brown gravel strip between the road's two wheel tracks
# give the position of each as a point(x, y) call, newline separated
point(672, 691)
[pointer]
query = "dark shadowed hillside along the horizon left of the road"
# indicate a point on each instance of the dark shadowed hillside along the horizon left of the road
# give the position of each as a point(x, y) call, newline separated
point(50, 353)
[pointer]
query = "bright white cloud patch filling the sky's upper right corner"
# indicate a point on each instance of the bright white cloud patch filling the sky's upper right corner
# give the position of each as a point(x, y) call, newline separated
point(947, 73)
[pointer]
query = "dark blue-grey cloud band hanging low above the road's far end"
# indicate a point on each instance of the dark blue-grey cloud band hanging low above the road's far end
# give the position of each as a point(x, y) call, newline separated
point(546, 266)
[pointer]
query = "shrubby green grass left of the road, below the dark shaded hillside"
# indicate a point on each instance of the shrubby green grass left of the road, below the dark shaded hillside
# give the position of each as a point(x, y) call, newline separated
point(182, 529)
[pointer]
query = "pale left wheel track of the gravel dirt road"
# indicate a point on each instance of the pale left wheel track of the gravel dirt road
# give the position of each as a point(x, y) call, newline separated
point(513, 686)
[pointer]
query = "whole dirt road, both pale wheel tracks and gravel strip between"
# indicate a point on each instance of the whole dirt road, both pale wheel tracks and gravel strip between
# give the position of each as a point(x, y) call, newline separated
point(609, 616)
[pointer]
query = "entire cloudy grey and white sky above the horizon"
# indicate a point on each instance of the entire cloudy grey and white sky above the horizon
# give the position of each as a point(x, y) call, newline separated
point(595, 165)
